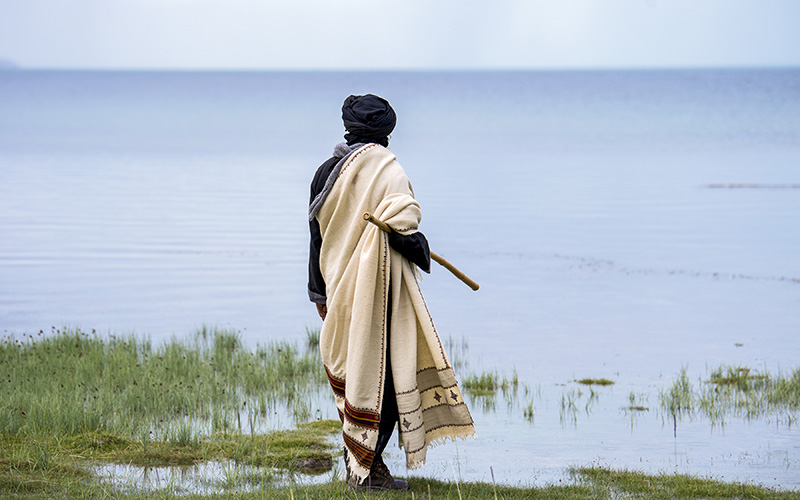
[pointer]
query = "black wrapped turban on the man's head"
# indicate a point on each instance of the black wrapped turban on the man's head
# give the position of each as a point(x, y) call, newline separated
point(368, 118)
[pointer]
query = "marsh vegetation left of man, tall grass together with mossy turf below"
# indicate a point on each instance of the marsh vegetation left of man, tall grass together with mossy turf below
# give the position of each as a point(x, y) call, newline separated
point(71, 397)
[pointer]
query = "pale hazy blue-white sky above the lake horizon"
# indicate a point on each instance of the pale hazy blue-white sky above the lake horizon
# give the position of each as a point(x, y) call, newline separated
point(398, 34)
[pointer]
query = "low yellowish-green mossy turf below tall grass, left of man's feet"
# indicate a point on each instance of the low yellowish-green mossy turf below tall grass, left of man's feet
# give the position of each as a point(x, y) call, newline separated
point(50, 467)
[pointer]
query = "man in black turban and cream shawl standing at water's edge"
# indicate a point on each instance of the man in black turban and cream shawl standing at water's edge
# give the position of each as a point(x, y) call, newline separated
point(383, 356)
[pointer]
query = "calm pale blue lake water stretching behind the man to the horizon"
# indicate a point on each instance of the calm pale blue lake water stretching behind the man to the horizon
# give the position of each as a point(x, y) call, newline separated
point(582, 202)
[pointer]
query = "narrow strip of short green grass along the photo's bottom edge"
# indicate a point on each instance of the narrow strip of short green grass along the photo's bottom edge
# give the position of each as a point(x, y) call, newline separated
point(587, 484)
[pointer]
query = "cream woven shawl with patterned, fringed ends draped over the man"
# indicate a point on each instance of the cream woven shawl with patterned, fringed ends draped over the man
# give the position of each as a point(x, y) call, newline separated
point(358, 266)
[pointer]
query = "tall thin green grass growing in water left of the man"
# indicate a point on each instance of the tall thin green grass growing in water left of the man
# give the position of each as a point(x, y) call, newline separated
point(72, 382)
